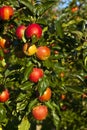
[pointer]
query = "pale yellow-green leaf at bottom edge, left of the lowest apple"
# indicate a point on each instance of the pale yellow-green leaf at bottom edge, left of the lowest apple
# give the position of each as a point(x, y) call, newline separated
point(24, 125)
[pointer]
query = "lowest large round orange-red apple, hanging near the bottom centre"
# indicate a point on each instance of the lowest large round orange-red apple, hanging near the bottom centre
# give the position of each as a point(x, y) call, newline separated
point(40, 112)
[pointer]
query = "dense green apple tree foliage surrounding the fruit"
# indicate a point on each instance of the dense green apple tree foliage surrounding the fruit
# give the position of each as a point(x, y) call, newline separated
point(65, 33)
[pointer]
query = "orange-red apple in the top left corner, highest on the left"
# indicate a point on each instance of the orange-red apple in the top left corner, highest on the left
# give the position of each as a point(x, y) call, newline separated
point(6, 12)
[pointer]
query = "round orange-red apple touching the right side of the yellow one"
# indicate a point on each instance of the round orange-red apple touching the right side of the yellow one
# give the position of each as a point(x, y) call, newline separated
point(43, 52)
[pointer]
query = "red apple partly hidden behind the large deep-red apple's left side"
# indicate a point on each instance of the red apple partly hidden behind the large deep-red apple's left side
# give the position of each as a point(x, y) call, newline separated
point(20, 31)
